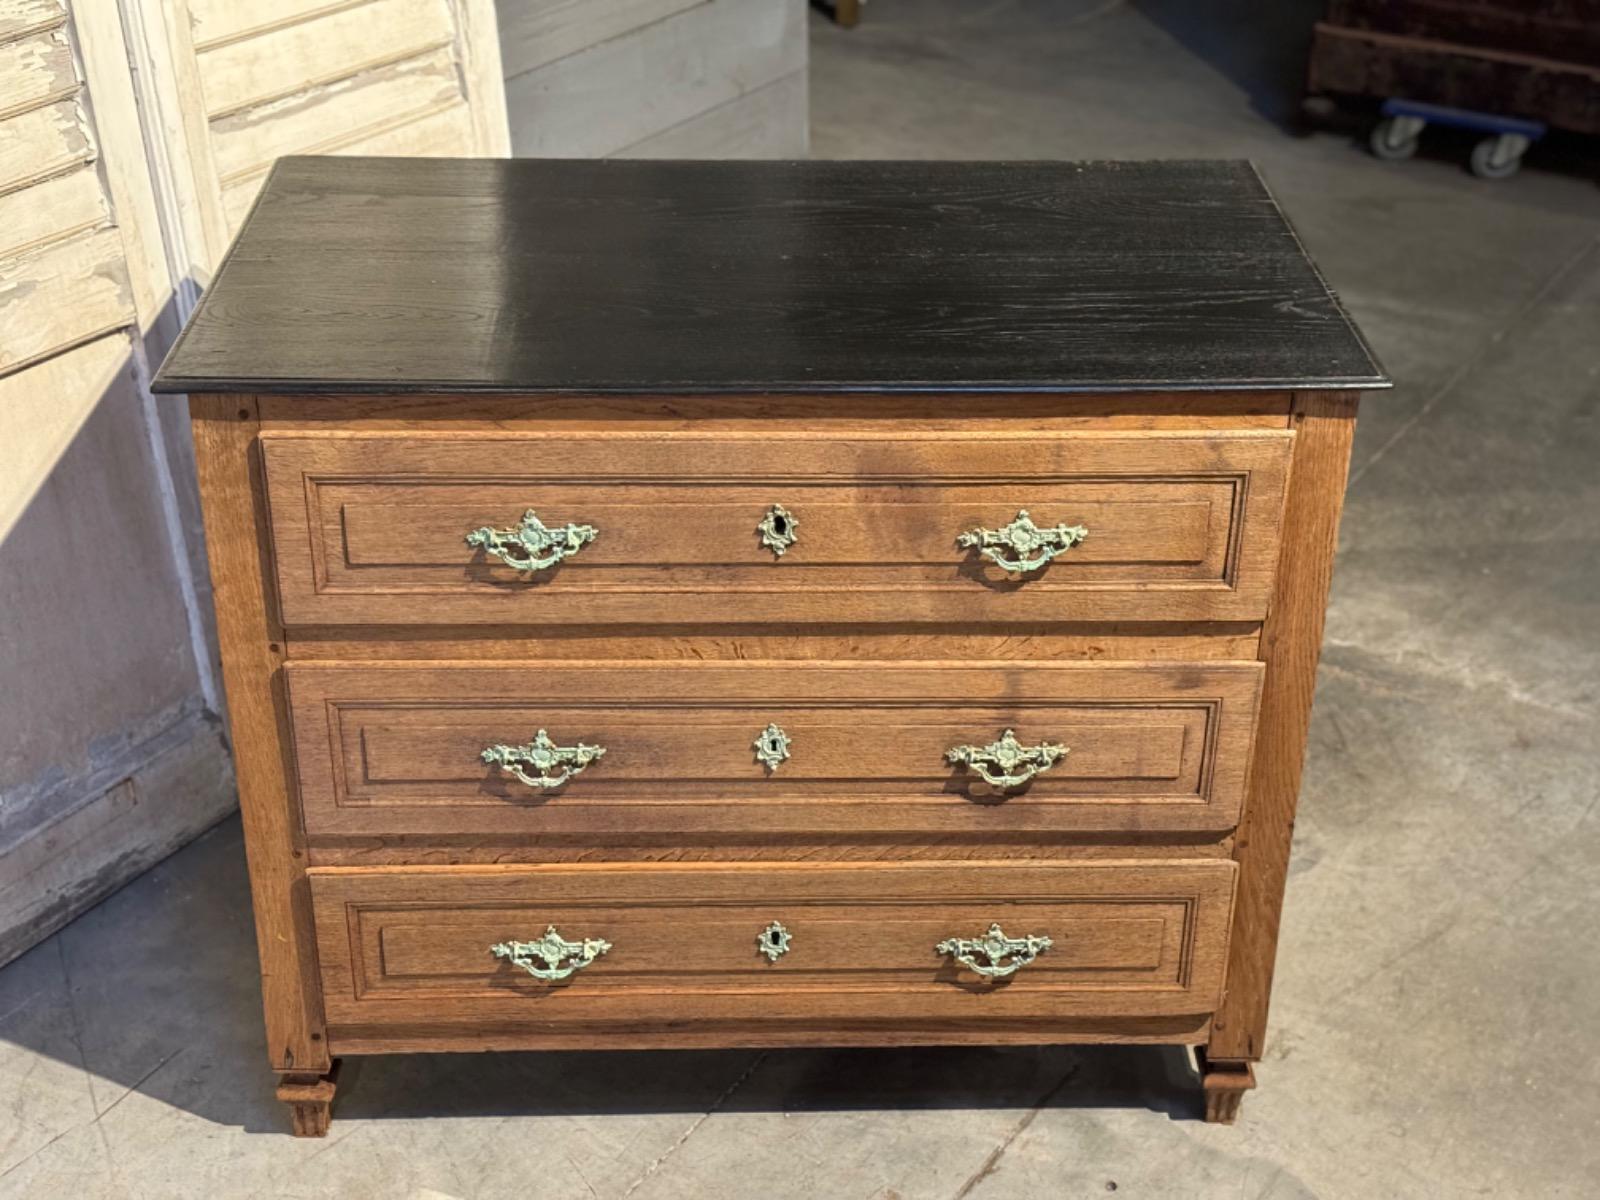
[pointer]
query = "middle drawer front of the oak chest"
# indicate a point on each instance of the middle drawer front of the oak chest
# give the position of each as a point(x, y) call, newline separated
point(398, 750)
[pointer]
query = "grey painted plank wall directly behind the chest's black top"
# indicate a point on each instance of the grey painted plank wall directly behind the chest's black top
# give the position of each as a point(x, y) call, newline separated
point(655, 79)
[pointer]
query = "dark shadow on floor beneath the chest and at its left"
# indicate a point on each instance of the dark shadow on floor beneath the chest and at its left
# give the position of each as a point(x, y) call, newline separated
point(156, 993)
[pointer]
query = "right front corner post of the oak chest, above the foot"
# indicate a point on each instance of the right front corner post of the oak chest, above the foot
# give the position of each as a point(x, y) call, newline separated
point(1290, 647)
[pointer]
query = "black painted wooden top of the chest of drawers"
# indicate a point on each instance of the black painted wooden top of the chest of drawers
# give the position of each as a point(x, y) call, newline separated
point(540, 276)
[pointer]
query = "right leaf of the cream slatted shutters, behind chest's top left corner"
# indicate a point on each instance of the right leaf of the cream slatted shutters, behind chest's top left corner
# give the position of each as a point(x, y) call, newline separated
point(250, 81)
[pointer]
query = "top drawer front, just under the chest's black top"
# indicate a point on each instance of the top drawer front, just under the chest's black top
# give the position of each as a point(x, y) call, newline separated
point(670, 527)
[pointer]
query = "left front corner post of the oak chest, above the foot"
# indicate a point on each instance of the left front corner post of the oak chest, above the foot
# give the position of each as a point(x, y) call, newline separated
point(225, 431)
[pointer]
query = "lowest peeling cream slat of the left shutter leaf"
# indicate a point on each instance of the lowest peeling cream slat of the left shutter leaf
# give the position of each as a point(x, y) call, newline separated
point(63, 295)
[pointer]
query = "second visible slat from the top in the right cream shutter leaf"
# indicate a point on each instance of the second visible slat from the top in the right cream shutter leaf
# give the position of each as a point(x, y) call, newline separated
point(324, 50)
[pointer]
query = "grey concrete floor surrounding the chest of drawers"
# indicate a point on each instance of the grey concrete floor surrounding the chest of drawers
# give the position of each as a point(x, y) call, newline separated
point(1434, 1028)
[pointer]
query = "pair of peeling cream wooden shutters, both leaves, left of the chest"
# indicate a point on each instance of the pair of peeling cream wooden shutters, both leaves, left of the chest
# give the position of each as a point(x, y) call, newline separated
point(134, 135)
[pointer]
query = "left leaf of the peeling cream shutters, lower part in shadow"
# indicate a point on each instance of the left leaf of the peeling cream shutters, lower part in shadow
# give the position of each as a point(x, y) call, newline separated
point(111, 753)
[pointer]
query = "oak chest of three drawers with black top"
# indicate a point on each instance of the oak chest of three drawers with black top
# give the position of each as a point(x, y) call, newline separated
point(767, 604)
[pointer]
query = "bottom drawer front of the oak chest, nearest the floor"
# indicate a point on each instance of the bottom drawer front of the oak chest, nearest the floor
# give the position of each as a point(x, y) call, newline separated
point(681, 946)
